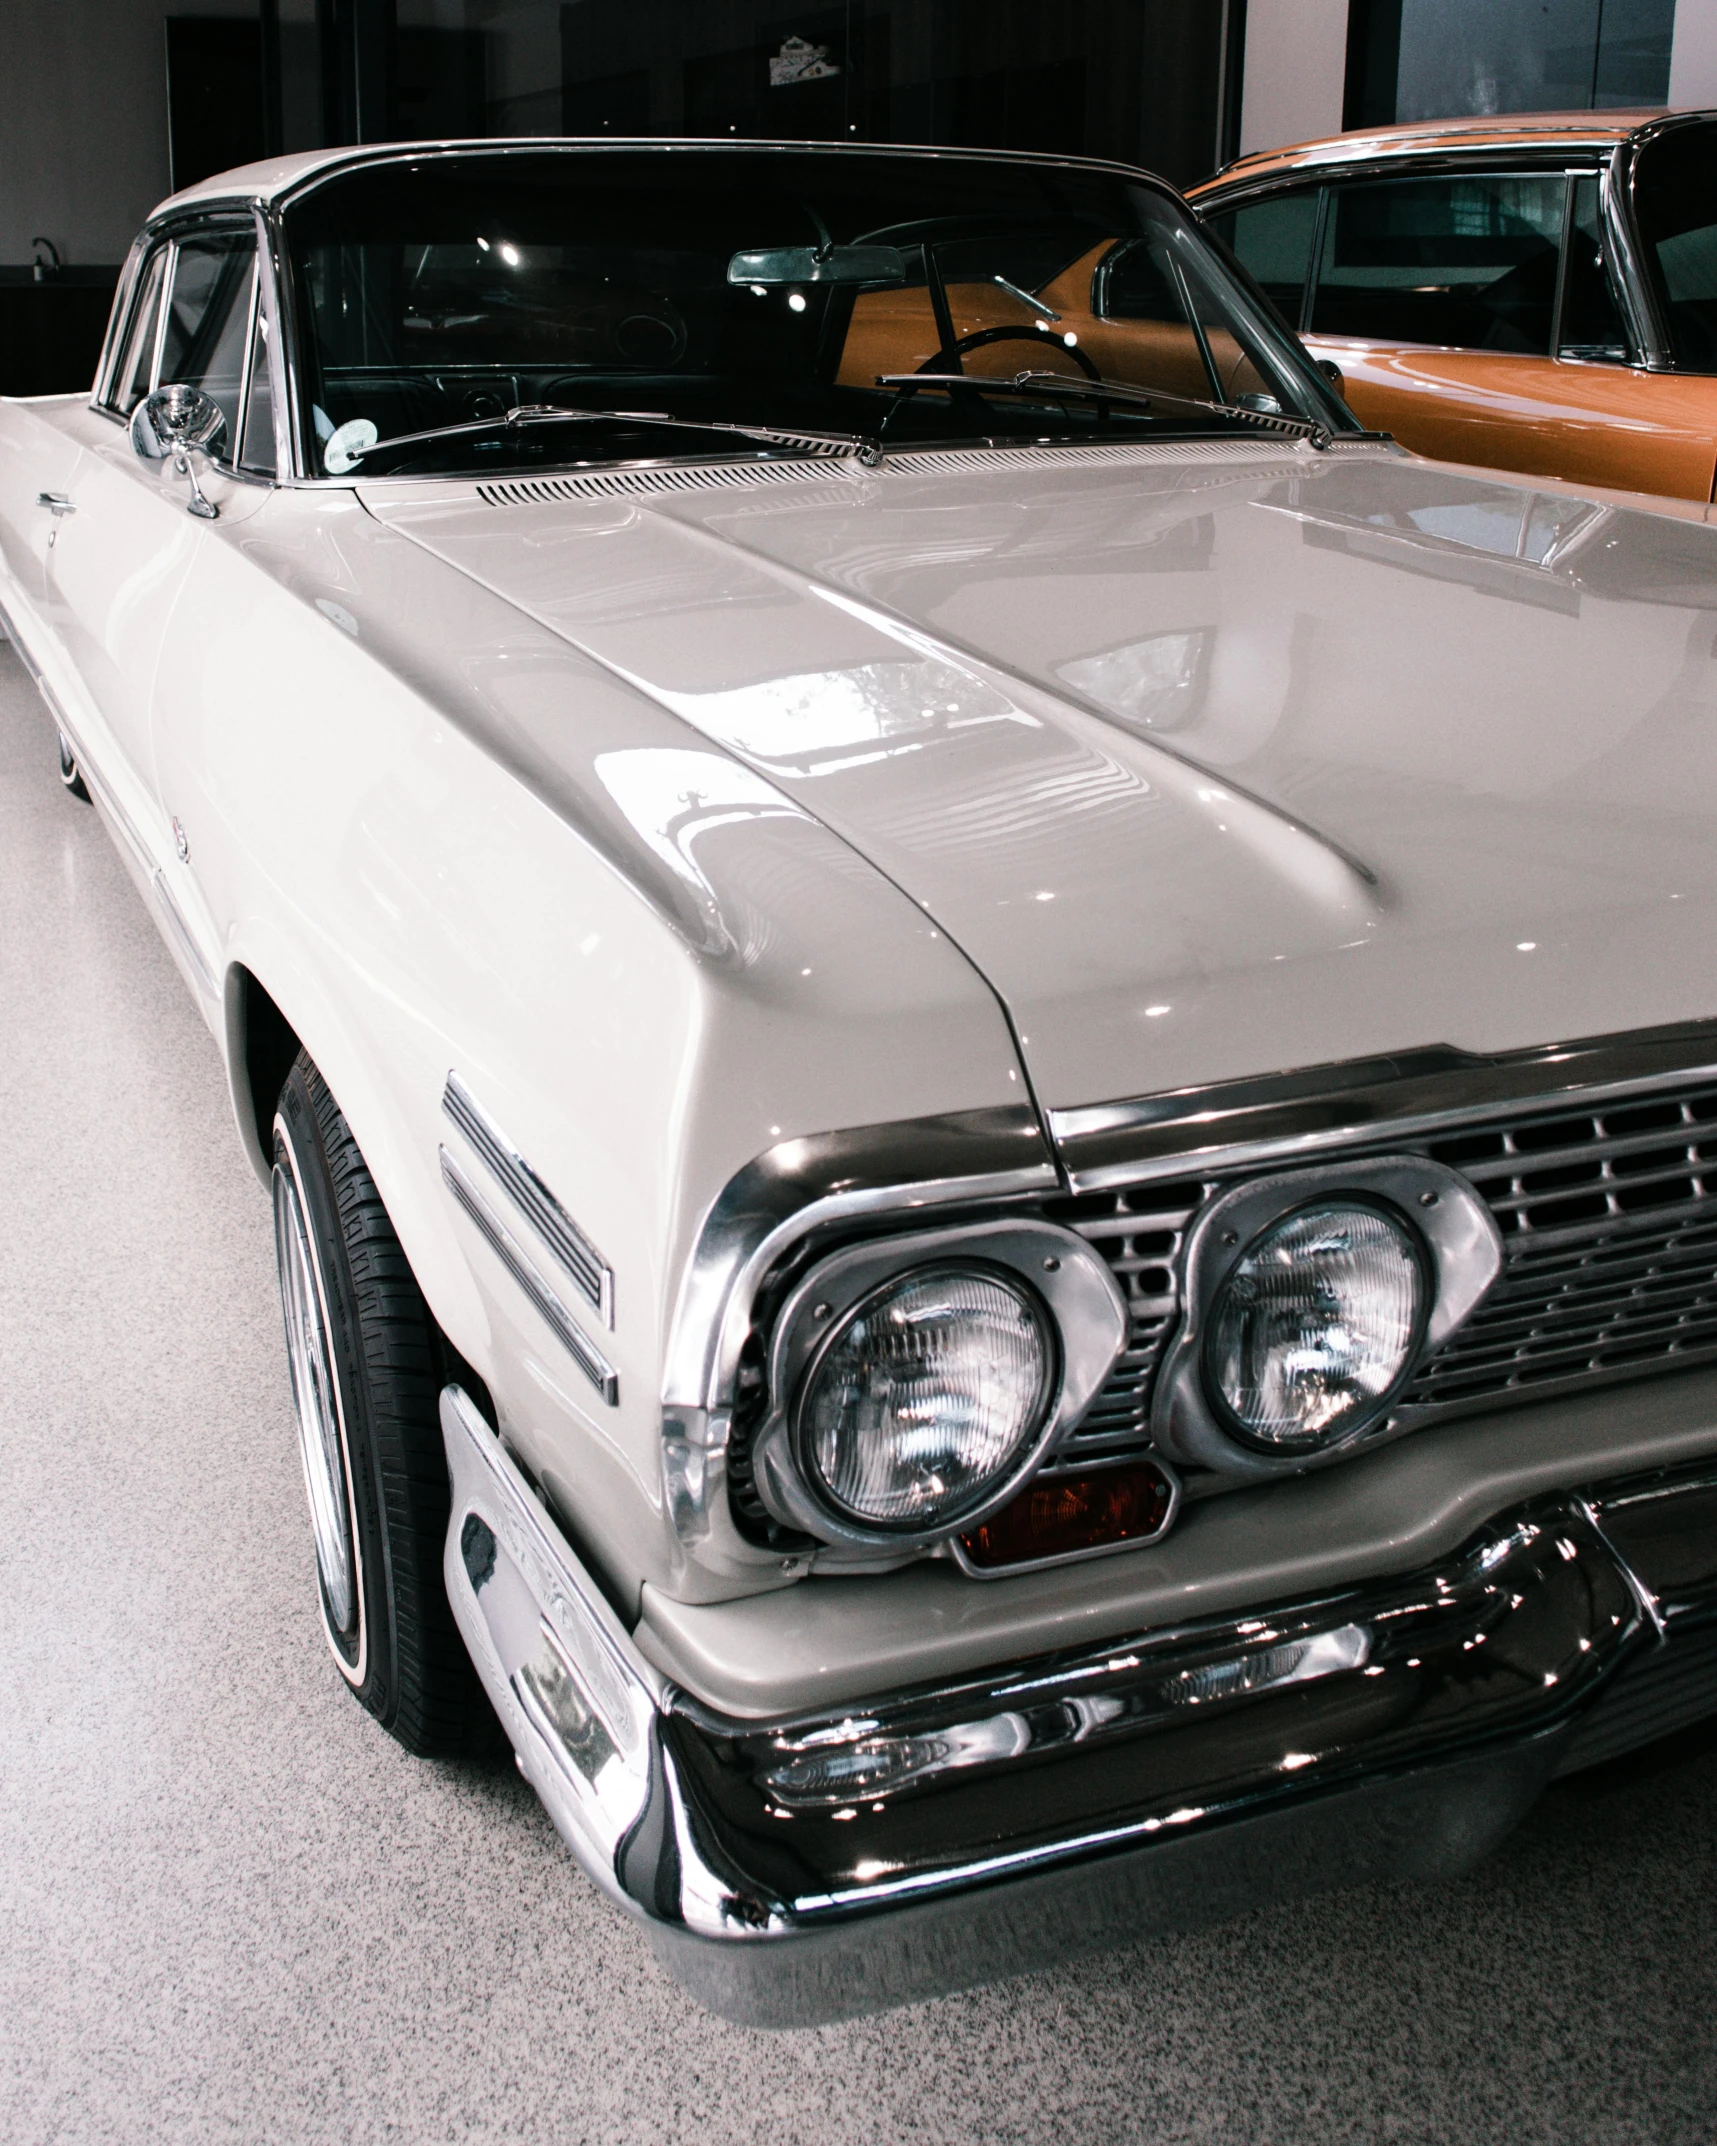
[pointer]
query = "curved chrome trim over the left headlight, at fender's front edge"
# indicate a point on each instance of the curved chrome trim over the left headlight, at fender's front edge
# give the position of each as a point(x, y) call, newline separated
point(802, 1186)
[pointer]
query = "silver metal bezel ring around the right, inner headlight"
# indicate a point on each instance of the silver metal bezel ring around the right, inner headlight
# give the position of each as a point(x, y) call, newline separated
point(1463, 1252)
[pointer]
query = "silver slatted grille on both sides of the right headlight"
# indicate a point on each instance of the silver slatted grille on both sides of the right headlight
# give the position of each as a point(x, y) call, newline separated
point(1611, 1259)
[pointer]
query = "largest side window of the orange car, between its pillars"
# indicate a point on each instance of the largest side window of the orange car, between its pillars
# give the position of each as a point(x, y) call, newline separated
point(1465, 261)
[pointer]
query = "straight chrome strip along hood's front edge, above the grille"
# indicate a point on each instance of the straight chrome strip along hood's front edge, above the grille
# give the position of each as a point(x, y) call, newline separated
point(1364, 1100)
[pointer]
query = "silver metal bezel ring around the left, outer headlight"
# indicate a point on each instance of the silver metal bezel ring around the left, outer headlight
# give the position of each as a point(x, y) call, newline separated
point(1085, 1319)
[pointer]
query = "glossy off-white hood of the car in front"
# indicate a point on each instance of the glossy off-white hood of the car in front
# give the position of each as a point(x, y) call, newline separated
point(1214, 761)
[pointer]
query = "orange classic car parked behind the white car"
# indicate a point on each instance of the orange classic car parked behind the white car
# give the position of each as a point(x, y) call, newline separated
point(1521, 293)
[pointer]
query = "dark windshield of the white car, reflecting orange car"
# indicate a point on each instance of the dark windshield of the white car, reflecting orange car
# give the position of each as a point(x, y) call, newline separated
point(754, 286)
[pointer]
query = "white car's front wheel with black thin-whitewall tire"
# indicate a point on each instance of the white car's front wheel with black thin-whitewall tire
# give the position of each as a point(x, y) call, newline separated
point(368, 1366)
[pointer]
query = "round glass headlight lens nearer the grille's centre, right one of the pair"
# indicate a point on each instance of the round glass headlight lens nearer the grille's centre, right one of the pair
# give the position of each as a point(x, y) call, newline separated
point(1315, 1327)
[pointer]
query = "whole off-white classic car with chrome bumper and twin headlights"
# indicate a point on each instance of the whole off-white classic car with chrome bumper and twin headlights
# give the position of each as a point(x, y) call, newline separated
point(986, 1053)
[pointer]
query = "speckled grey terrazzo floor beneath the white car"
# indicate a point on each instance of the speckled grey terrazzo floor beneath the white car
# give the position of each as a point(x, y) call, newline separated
point(233, 1911)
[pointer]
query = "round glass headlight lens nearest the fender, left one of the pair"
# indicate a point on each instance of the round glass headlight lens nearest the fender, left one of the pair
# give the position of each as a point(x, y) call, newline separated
point(926, 1396)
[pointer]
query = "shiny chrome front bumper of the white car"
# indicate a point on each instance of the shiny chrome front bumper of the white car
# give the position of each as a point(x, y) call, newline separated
point(832, 1864)
